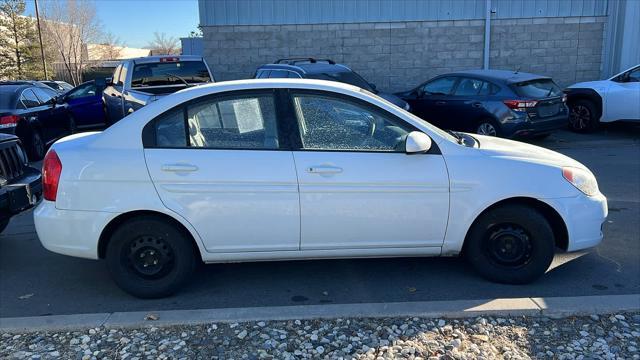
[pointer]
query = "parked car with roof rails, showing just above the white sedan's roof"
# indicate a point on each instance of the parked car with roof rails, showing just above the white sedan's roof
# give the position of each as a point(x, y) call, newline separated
point(322, 69)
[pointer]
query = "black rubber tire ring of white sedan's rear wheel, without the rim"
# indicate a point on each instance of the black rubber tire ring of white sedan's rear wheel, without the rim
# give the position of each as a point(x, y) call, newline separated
point(180, 243)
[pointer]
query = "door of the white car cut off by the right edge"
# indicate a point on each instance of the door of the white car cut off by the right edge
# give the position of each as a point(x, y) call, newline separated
point(622, 100)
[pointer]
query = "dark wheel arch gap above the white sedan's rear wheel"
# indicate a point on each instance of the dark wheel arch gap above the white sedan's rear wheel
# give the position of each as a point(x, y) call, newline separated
point(111, 227)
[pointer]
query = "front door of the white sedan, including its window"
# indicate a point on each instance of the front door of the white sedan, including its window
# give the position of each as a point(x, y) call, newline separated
point(358, 188)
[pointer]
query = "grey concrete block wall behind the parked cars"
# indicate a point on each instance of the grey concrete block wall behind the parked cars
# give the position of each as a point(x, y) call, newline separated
point(400, 55)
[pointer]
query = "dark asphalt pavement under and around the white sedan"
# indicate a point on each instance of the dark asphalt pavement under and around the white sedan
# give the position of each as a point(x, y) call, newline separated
point(35, 282)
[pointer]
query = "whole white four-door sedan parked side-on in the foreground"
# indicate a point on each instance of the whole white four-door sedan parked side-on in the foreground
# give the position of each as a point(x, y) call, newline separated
point(288, 169)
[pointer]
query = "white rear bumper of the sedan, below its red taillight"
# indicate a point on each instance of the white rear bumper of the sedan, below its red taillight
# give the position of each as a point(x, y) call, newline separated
point(70, 232)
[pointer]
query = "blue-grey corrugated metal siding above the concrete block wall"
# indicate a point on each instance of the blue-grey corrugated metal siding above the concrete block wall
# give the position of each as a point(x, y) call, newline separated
point(271, 12)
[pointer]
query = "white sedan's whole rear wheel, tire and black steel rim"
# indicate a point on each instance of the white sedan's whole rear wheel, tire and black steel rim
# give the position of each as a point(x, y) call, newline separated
point(149, 257)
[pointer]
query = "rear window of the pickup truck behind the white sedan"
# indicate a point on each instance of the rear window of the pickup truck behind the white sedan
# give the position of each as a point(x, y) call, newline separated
point(169, 73)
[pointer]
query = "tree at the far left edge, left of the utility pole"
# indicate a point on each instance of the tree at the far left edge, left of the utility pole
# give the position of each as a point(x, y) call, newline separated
point(19, 46)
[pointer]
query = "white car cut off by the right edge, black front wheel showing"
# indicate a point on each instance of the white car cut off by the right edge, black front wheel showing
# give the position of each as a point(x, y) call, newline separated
point(614, 99)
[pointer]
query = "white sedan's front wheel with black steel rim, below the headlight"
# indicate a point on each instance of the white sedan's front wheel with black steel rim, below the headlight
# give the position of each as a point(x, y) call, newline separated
point(512, 244)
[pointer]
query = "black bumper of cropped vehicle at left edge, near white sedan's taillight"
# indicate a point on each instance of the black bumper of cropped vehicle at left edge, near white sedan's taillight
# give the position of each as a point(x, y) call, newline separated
point(21, 194)
